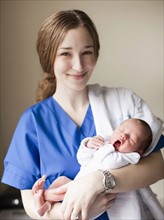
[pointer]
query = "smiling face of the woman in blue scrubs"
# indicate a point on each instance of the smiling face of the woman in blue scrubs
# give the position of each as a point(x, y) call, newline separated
point(75, 59)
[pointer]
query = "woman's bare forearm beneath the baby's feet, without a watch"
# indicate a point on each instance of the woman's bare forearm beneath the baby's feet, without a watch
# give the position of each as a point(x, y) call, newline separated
point(27, 199)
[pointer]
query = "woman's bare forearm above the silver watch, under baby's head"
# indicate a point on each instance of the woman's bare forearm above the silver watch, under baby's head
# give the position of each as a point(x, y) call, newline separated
point(148, 171)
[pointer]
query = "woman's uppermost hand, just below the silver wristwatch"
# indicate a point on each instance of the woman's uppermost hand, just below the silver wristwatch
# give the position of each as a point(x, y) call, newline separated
point(80, 196)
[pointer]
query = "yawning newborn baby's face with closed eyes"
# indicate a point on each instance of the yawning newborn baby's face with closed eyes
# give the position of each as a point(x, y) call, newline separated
point(127, 137)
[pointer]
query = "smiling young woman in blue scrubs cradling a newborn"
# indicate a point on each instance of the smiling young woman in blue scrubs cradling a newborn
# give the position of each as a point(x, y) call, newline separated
point(49, 133)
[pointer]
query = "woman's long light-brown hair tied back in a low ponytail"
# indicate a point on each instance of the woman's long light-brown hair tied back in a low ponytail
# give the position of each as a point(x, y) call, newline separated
point(50, 36)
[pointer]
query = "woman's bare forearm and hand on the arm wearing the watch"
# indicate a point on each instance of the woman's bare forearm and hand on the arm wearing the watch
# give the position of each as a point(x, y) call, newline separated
point(80, 196)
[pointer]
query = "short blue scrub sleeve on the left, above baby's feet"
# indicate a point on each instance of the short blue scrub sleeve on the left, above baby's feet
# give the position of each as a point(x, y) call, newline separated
point(21, 164)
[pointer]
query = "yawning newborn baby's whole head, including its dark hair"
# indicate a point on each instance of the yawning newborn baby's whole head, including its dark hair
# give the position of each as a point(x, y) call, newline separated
point(133, 135)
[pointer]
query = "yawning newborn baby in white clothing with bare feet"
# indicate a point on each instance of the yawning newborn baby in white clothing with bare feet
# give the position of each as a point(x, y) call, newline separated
point(126, 145)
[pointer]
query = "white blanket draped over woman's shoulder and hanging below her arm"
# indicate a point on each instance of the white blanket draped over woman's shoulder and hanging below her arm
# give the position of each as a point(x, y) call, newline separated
point(110, 107)
